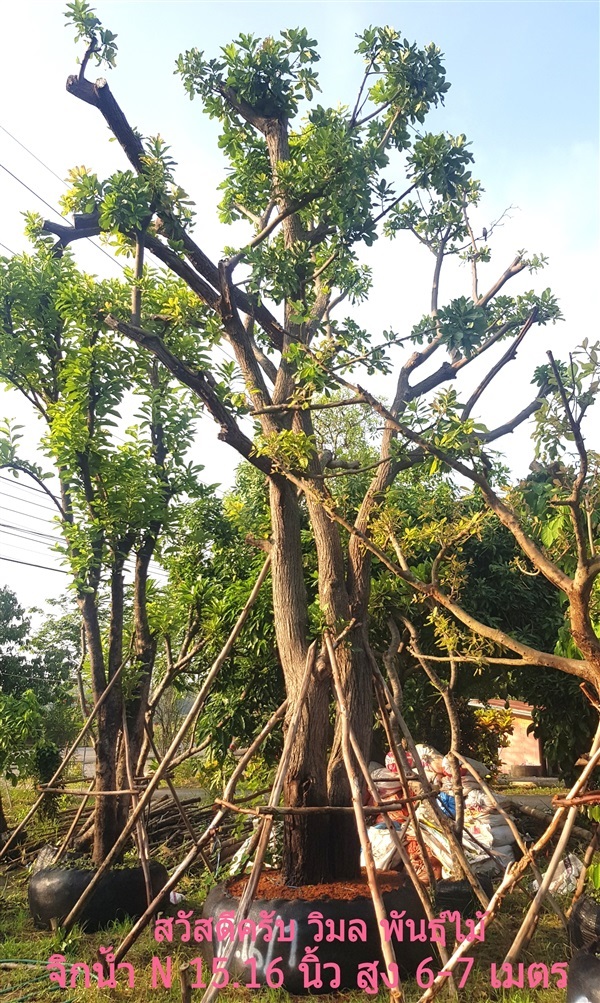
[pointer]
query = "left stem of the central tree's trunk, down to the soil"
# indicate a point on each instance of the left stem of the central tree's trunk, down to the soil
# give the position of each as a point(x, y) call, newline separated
point(305, 862)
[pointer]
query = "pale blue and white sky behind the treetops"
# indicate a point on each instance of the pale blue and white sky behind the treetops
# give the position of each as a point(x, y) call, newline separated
point(524, 90)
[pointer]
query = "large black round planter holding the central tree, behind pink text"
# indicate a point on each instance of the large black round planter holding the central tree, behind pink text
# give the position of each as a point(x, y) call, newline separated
point(349, 955)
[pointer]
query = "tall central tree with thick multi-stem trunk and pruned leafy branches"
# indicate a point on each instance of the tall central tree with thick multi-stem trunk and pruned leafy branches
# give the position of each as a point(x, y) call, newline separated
point(319, 186)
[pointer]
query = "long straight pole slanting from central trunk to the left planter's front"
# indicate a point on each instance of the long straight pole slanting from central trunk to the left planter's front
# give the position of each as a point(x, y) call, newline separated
point(171, 752)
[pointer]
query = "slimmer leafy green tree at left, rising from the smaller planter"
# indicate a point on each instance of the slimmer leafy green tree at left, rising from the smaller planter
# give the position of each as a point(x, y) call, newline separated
point(113, 499)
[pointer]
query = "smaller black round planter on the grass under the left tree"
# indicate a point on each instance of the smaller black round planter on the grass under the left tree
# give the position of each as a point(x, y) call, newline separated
point(119, 895)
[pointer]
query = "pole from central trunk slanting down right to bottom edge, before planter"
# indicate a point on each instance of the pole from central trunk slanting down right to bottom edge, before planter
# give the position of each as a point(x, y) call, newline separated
point(388, 950)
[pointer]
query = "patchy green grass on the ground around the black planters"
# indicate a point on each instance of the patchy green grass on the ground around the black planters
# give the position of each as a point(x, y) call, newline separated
point(30, 984)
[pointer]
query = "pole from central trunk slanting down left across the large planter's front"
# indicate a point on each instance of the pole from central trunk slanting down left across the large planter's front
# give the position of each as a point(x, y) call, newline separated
point(267, 823)
